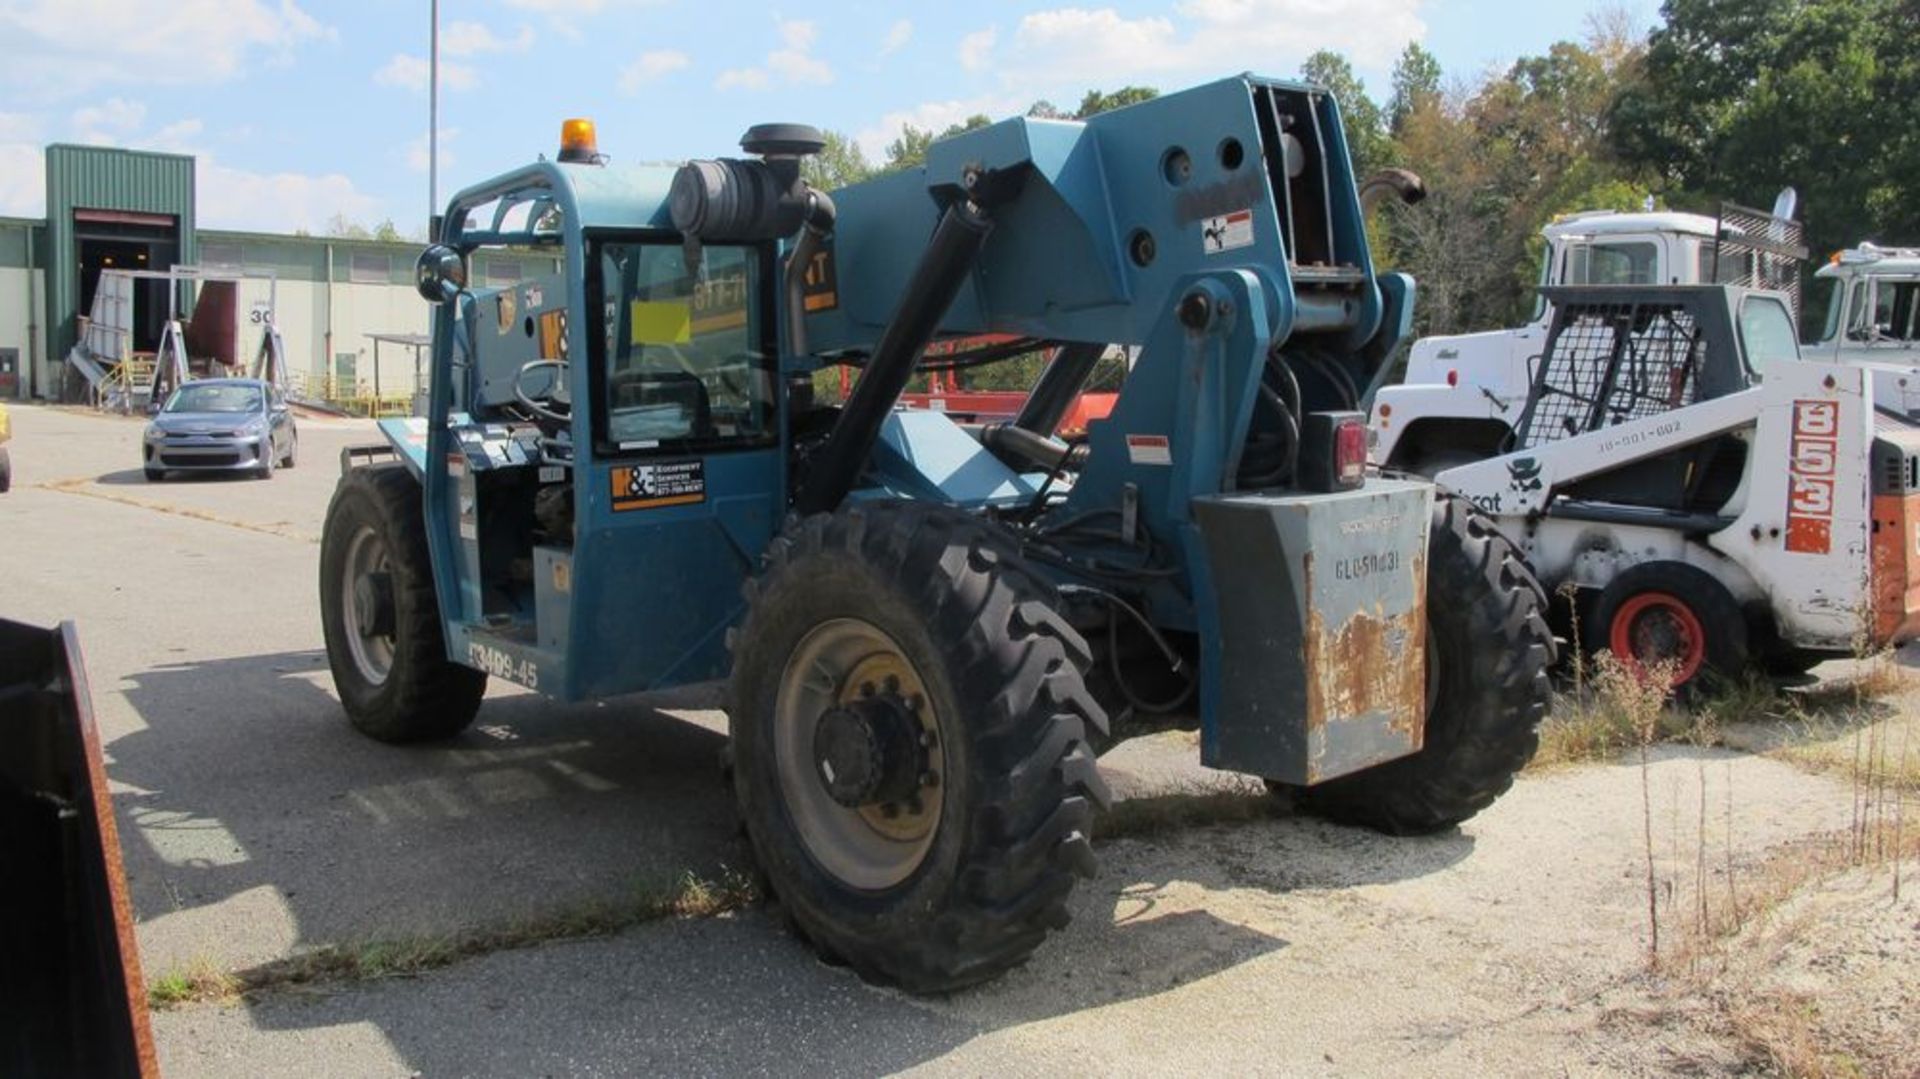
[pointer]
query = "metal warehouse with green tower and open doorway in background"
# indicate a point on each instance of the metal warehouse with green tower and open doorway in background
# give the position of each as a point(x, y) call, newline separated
point(135, 210)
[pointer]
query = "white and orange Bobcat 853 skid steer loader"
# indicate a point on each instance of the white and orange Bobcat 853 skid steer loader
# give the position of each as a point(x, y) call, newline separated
point(1712, 498)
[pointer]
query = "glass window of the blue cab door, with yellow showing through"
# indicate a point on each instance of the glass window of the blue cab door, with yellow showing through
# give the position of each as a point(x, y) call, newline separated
point(683, 350)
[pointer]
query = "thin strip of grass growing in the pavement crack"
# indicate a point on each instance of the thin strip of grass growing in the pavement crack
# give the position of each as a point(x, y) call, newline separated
point(406, 957)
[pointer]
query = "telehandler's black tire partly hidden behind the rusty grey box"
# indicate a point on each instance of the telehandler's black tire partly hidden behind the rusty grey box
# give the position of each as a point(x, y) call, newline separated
point(1489, 658)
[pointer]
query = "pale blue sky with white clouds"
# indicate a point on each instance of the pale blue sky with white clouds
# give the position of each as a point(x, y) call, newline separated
point(302, 110)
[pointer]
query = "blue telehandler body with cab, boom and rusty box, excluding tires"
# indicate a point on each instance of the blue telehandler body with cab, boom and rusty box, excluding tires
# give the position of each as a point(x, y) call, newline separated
point(1216, 231)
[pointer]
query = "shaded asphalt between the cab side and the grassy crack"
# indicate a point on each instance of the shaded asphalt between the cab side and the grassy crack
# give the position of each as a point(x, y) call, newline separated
point(258, 821)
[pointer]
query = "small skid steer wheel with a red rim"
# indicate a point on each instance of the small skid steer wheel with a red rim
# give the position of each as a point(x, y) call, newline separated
point(1673, 611)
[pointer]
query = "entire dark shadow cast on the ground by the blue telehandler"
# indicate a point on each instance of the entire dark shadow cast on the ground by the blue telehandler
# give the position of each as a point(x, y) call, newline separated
point(268, 809)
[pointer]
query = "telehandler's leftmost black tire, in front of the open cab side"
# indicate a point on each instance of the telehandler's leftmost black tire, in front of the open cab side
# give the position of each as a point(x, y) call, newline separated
point(396, 686)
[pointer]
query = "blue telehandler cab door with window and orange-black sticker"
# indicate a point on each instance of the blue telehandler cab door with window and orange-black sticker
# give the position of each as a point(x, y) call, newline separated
point(686, 479)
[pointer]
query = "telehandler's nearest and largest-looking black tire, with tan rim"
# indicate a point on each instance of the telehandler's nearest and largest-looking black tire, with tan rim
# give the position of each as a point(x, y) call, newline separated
point(963, 880)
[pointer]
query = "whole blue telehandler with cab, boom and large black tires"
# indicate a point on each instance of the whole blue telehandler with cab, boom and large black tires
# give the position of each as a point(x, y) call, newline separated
point(928, 629)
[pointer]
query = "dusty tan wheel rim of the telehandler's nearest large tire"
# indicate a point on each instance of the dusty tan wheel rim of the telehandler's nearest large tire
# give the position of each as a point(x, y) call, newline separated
point(836, 665)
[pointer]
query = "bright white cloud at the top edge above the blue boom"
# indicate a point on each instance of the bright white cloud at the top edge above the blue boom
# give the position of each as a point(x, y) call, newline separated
point(1211, 37)
